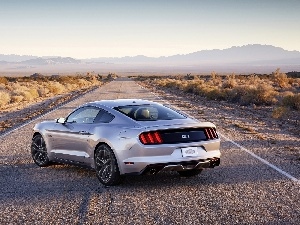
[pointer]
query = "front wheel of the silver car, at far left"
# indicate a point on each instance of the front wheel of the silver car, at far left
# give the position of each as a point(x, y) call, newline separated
point(39, 152)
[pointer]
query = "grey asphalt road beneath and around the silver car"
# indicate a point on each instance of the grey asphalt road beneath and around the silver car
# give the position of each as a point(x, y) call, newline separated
point(243, 190)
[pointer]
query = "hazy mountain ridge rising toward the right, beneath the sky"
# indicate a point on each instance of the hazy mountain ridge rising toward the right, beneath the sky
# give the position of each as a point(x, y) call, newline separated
point(246, 53)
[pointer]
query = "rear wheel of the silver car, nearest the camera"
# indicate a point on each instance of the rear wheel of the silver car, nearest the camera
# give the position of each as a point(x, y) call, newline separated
point(106, 166)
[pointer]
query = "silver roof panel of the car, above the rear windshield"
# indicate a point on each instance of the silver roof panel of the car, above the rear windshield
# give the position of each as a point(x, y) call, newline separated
point(120, 102)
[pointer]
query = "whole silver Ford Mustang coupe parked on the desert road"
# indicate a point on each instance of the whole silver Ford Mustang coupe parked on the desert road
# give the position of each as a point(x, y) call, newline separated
point(127, 136)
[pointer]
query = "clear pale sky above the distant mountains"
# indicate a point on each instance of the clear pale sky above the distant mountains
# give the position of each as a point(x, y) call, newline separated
point(116, 28)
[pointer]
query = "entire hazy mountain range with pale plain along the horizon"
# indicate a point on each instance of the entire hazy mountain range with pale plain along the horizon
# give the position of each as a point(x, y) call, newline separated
point(241, 59)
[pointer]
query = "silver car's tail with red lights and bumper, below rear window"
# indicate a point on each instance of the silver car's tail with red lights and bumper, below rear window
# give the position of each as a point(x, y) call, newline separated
point(172, 147)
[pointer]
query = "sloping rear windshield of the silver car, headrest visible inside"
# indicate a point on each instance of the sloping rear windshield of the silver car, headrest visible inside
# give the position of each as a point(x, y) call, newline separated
point(149, 112)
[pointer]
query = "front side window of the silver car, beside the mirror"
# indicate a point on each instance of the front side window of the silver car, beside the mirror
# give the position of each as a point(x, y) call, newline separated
point(83, 115)
